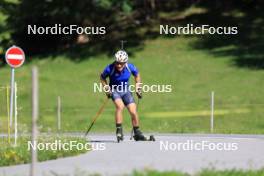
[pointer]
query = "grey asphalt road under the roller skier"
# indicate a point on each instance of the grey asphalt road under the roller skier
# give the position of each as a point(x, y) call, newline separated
point(168, 152)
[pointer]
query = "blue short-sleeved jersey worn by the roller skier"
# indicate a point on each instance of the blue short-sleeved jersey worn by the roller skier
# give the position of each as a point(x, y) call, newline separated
point(119, 78)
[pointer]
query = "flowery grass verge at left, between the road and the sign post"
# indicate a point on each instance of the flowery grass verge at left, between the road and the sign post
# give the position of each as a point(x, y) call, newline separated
point(11, 155)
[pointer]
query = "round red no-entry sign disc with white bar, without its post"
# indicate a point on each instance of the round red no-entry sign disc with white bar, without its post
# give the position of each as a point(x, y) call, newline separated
point(15, 56)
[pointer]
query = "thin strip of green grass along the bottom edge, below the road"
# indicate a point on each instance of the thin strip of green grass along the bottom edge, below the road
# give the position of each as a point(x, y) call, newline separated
point(203, 173)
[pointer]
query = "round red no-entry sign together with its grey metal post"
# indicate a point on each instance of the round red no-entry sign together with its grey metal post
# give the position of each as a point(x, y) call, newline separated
point(15, 57)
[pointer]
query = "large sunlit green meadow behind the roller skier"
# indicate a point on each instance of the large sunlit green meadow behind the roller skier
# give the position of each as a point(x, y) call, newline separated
point(193, 74)
